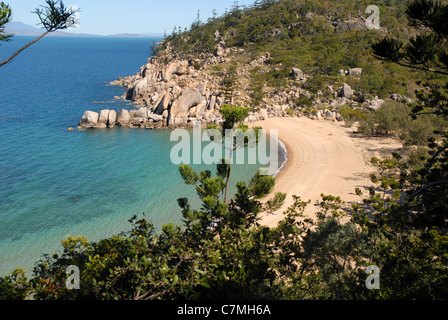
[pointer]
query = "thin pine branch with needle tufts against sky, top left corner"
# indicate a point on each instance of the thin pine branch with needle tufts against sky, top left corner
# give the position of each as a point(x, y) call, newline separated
point(54, 16)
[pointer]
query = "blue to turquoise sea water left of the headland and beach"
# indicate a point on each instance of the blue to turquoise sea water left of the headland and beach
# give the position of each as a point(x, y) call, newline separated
point(54, 182)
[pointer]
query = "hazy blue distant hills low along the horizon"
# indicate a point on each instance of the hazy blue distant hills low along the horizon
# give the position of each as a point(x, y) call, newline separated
point(22, 29)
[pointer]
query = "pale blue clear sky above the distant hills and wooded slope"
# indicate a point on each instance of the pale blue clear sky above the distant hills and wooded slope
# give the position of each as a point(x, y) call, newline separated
point(107, 17)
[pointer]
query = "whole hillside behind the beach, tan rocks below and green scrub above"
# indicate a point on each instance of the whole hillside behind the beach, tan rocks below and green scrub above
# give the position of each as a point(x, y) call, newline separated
point(286, 57)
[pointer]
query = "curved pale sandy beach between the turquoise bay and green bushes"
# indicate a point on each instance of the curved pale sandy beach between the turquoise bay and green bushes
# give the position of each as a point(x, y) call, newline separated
point(323, 157)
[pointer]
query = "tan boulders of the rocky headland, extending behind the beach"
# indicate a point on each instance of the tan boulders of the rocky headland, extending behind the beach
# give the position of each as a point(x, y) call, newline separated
point(174, 90)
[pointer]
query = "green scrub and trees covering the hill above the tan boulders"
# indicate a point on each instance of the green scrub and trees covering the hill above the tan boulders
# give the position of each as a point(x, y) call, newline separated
point(311, 35)
